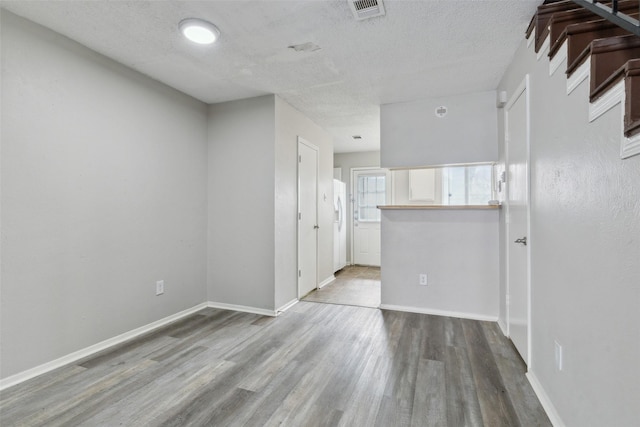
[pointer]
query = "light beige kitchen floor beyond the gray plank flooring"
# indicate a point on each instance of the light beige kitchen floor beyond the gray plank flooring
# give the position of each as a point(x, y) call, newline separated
point(354, 285)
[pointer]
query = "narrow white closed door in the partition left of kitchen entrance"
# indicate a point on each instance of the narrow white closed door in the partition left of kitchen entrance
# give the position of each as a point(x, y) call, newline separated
point(307, 217)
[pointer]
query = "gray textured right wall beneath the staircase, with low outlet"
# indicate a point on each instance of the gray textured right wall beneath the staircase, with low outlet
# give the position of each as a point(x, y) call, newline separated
point(585, 248)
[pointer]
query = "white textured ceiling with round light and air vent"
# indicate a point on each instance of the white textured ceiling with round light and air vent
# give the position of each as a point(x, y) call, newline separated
point(419, 49)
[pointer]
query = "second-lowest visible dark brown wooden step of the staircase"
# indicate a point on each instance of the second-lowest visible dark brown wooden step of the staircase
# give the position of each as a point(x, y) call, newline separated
point(607, 57)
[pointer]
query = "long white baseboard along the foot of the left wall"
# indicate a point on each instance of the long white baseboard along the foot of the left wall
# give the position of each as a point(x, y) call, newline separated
point(88, 351)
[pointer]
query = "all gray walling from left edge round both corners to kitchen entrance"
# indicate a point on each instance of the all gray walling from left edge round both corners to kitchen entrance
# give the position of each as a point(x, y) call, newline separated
point(112, 181)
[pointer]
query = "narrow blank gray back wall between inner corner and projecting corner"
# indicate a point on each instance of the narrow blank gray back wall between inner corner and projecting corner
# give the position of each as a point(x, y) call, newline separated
point(241, 202)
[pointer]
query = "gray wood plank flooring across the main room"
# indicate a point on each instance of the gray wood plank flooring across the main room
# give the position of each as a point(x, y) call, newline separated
point(315, 365)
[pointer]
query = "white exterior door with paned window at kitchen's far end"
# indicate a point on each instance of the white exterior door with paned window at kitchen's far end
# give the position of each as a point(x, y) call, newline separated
point(369, 191)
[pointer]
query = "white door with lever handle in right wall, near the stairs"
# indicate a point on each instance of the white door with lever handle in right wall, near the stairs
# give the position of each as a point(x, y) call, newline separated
point(518, 297)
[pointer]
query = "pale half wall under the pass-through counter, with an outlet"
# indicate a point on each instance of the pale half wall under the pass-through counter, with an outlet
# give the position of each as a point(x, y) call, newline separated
point(457, 249)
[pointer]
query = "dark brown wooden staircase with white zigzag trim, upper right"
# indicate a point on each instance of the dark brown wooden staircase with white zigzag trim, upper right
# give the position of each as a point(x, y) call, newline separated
point(605, 51)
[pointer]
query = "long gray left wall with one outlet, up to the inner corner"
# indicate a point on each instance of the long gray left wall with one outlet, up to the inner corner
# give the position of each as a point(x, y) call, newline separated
point(96, 205)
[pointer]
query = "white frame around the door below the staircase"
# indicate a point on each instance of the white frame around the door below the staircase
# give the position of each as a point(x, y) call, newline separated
point(523, 89)
